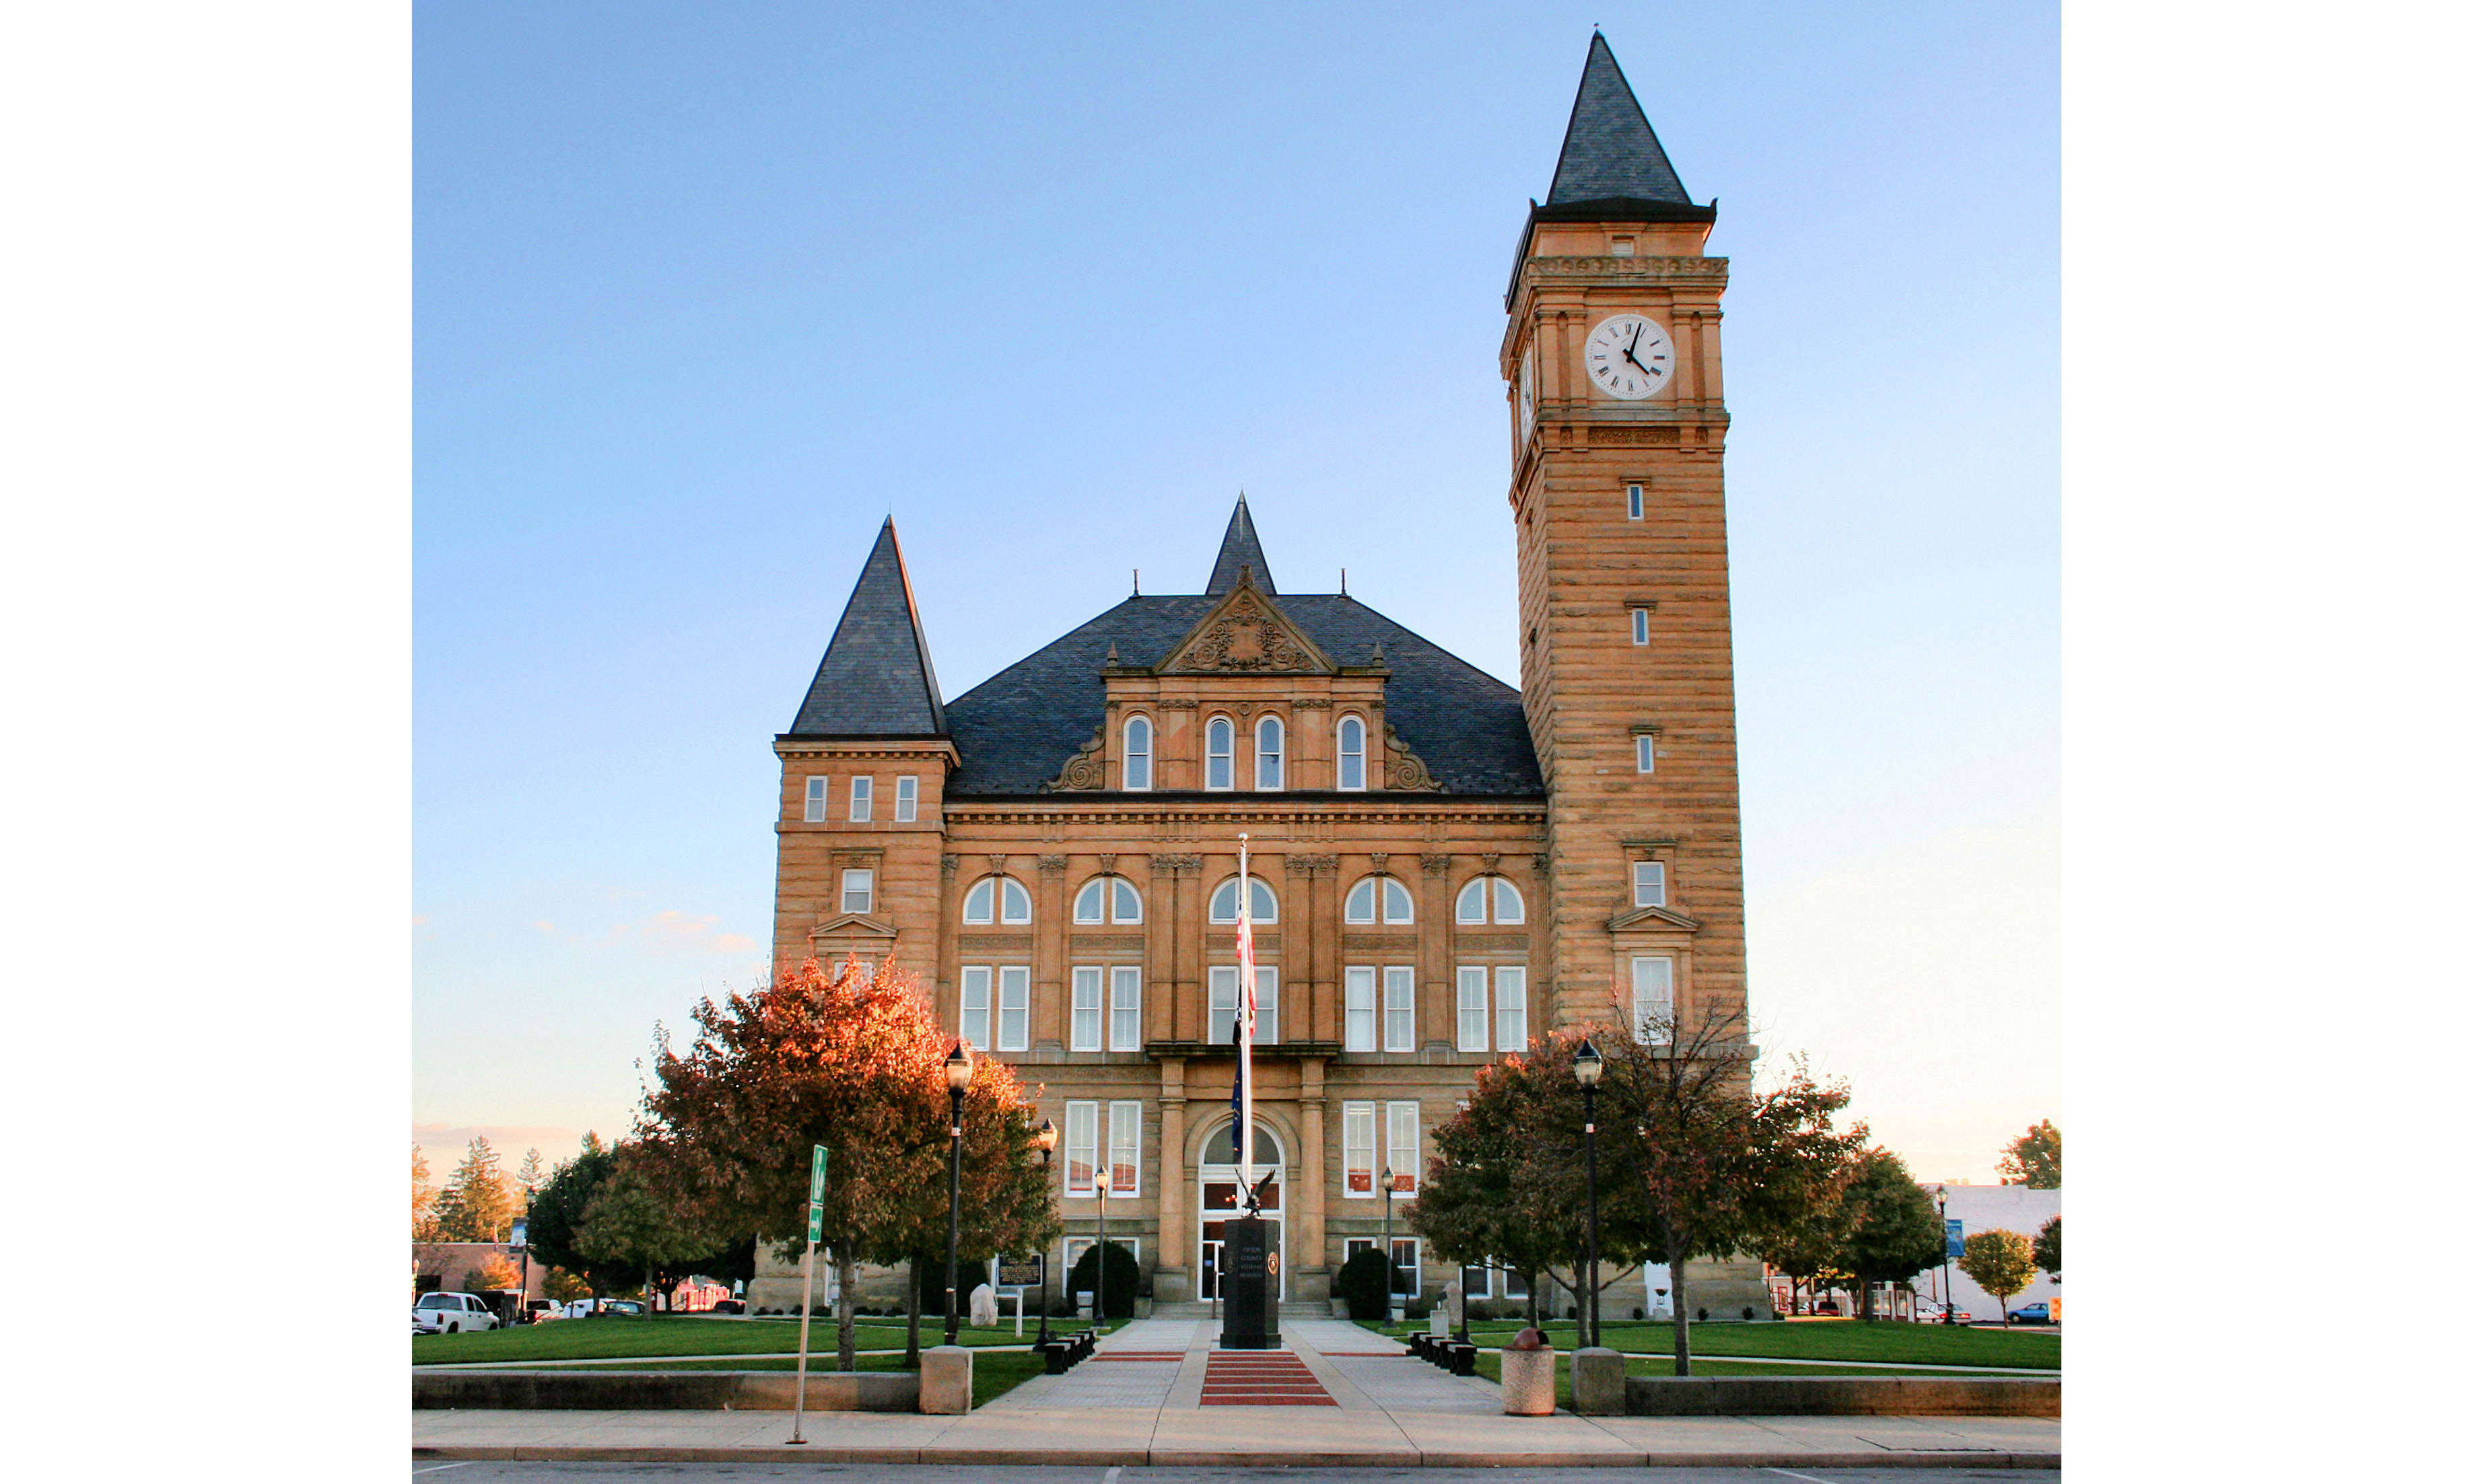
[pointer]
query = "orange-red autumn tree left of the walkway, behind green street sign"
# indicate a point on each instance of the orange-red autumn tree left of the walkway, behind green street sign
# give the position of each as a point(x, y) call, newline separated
point(852, 1062)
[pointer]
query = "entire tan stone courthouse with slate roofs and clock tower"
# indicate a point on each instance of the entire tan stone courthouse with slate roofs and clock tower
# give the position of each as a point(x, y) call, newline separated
point(1444, 867)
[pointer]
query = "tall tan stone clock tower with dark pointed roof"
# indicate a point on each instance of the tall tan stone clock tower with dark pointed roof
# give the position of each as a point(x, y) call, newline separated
point(1619, 429)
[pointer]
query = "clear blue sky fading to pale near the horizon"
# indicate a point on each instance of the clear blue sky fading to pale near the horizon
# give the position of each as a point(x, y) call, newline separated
point(704, 293)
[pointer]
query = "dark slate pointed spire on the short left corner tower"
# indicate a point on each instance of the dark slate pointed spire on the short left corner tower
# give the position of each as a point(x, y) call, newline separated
point(877, 679)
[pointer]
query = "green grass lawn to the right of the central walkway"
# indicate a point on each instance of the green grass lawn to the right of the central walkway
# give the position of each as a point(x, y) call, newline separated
point(1884, 1344)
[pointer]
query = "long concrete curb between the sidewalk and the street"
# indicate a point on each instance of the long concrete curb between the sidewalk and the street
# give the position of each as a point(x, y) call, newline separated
point(1258, 1461)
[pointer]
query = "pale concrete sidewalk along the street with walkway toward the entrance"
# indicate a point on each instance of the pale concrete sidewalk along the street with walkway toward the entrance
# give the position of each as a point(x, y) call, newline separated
point(1392, 1414)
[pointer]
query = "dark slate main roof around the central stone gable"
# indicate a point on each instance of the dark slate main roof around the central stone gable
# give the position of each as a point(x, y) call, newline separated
point(1018, 728)
